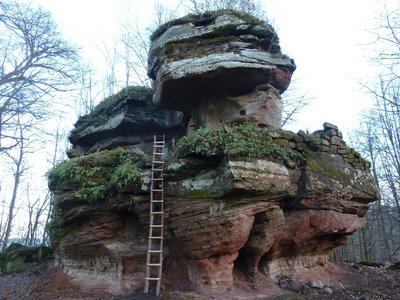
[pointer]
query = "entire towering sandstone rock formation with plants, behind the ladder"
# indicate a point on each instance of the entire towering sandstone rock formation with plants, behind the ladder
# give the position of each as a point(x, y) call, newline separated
point(243, 197)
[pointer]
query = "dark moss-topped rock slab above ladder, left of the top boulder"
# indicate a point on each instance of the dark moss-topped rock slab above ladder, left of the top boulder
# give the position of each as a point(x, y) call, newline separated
point(127, 118)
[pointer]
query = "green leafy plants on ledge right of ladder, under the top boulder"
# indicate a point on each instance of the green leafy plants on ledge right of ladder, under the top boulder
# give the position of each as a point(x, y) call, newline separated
point(245, 141)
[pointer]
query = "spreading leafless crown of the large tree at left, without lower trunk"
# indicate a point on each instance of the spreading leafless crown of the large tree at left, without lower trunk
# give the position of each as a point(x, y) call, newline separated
point(34, 62)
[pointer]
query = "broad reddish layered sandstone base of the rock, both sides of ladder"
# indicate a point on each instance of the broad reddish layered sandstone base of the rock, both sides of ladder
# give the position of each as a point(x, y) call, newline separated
point(278, 214)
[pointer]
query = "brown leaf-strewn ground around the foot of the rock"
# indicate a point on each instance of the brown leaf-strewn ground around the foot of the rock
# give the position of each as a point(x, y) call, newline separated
point(47, 281)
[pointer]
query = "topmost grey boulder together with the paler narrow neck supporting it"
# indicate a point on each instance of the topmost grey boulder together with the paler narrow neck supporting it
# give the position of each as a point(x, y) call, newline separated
point(220, 67)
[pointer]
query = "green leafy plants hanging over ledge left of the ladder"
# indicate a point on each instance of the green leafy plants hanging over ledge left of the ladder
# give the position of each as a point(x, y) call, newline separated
point(98, 176)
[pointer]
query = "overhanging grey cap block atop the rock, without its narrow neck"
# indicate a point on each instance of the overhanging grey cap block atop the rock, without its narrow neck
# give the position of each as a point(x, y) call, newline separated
point(229, 53)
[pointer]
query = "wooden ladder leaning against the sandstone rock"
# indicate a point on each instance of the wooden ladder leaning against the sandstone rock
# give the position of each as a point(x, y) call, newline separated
point(156, 229)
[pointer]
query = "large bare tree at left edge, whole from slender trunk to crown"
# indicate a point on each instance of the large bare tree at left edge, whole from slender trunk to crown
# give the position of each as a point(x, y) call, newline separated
point(35, 63)
